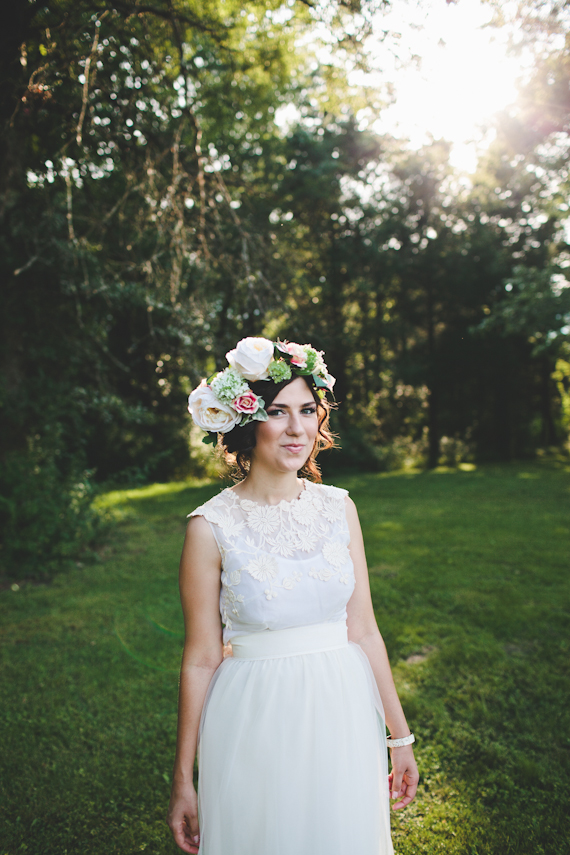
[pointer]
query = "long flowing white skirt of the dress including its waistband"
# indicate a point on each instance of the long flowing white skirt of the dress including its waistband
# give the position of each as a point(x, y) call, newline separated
point(292, 751)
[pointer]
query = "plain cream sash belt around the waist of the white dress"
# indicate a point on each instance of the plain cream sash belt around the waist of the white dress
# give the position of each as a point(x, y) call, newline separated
point(274, 644)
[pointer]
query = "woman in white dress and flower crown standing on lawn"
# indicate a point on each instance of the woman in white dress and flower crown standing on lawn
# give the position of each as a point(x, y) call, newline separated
point(290, 729)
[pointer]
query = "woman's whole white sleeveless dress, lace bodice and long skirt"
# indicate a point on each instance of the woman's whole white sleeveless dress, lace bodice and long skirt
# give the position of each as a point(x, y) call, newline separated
point(292, 751)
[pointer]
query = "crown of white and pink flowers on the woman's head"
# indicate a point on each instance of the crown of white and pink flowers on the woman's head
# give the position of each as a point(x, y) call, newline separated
point(225, 400)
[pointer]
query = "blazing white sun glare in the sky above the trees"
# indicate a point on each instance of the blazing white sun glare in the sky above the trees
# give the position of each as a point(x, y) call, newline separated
point(462, 76)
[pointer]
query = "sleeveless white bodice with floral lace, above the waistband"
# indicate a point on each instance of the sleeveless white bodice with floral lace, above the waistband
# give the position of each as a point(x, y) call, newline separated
point(283, 565)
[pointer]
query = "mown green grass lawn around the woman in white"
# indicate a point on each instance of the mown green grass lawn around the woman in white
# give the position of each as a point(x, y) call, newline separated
point(470, 579)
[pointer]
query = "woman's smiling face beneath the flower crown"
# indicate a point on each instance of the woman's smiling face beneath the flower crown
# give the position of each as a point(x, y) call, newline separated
point(286, 439)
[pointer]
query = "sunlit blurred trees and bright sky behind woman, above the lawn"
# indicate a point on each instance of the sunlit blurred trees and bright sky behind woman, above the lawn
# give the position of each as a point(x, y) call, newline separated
point(388, 181)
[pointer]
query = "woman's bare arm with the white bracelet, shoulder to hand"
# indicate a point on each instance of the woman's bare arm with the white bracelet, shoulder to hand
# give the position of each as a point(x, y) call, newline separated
point(363, 629)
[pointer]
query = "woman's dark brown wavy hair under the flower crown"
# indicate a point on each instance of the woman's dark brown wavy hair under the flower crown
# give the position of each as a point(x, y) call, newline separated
point(238, 443)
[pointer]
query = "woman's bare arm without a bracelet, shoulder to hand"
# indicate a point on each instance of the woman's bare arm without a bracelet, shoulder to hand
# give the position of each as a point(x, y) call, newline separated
point(200, 566)
